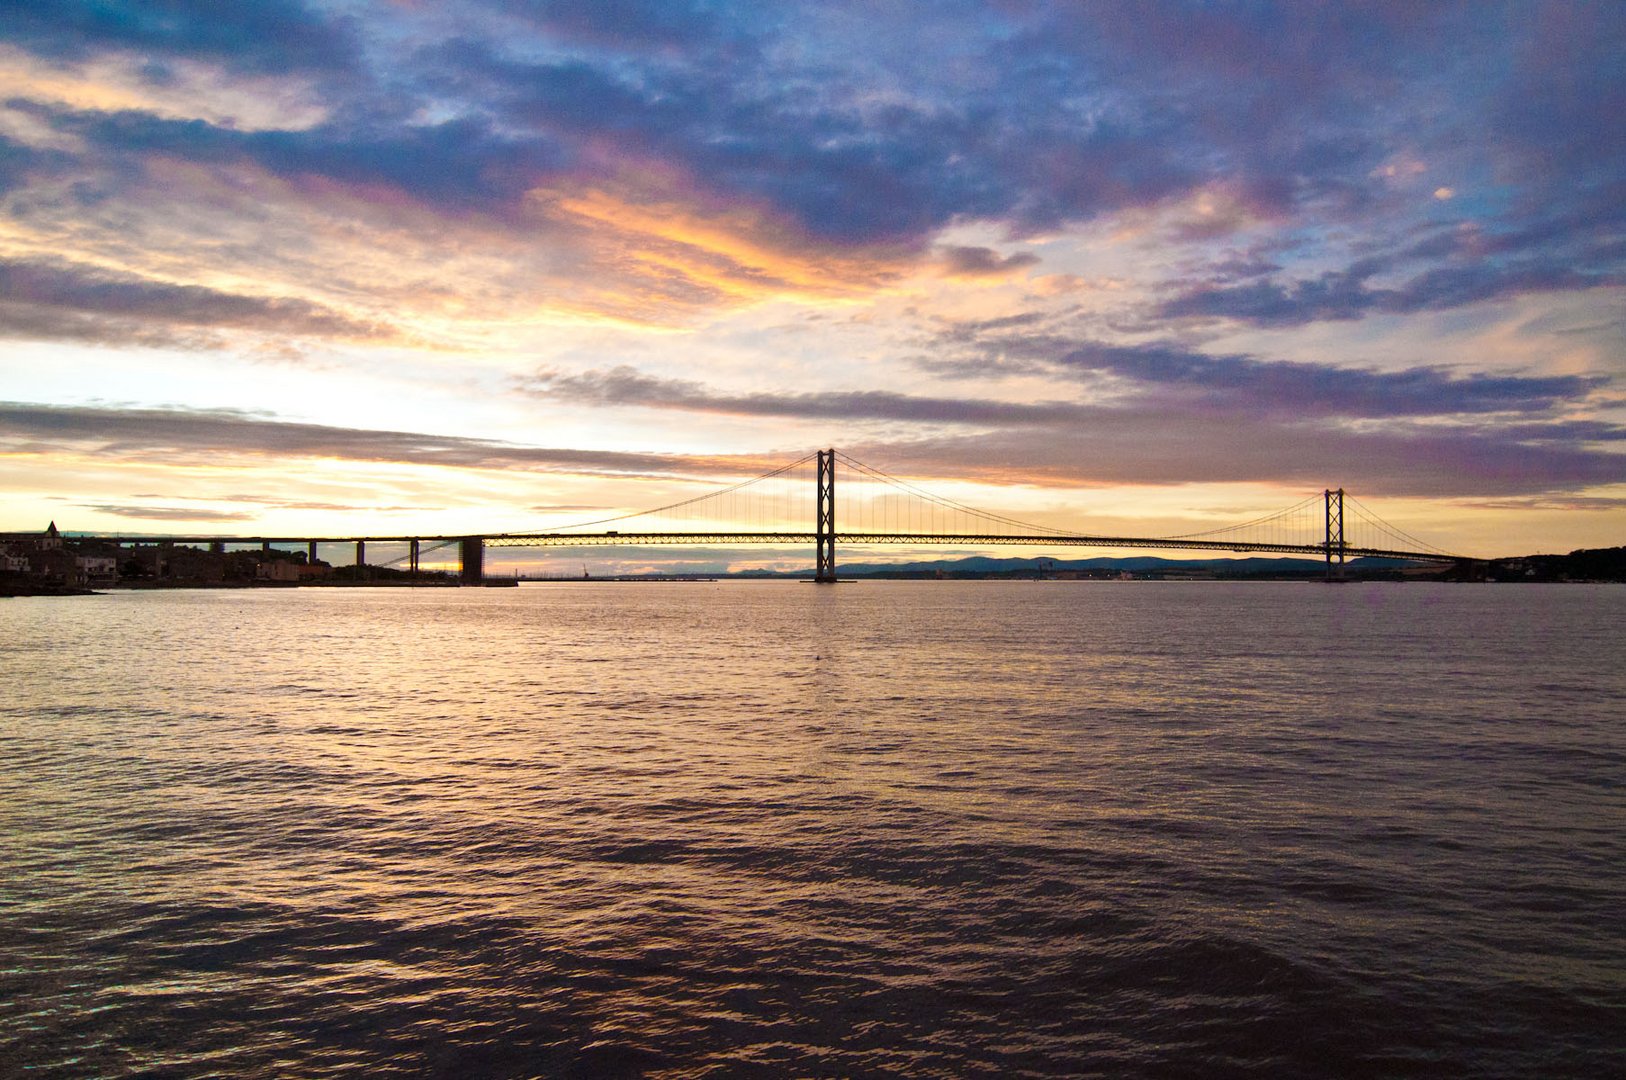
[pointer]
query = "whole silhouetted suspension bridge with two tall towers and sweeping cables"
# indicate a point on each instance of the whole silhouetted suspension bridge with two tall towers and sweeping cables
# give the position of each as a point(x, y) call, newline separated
point(876, 510)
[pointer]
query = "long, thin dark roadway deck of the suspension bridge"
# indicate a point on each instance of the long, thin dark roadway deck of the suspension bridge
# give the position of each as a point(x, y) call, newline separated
point(622, 539)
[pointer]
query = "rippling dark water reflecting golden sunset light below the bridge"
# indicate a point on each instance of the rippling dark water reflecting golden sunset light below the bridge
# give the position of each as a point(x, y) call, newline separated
point(770, 829)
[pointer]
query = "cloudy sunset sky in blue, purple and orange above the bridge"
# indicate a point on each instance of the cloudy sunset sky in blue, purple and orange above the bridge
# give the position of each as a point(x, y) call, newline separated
point(1136, 269)
